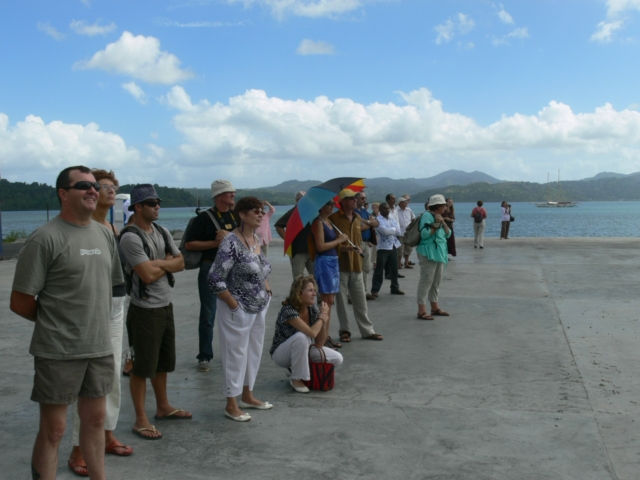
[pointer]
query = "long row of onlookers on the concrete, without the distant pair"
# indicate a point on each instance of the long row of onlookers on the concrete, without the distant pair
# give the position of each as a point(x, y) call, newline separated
point(74, 273)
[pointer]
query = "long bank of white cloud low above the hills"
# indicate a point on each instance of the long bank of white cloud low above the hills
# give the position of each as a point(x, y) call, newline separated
point(257, 140)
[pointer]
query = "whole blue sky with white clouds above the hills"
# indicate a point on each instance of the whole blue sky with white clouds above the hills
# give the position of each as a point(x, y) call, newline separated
point(181, 92)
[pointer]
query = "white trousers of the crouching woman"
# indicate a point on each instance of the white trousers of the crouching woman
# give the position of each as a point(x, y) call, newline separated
point(294, 353)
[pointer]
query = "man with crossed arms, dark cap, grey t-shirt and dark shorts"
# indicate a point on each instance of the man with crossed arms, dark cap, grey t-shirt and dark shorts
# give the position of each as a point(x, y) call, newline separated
point(150, 257)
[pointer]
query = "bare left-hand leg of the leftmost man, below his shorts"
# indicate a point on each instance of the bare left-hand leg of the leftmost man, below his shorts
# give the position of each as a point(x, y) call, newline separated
point(44, 460)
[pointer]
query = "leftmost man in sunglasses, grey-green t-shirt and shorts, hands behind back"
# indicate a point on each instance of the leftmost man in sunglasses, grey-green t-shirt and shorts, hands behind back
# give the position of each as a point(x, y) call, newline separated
point(63, 283)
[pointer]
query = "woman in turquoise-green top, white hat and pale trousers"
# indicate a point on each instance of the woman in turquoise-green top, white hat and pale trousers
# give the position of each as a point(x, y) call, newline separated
point(432, 256)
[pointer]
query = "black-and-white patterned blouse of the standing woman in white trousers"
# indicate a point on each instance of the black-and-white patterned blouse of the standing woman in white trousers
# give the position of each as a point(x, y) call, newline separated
point(242, 272)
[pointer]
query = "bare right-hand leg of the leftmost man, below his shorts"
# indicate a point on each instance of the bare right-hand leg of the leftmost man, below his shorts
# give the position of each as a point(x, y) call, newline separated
point(92, 412)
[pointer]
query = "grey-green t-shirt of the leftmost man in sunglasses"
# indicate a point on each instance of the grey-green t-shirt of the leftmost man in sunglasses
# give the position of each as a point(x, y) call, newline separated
point(71, 270)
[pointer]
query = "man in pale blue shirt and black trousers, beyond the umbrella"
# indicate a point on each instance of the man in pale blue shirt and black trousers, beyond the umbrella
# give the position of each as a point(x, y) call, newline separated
point(388, 232)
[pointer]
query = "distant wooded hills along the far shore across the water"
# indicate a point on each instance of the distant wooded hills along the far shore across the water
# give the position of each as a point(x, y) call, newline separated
point(470, 188)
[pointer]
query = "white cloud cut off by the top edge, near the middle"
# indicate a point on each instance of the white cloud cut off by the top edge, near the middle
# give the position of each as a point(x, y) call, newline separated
point(305, 8)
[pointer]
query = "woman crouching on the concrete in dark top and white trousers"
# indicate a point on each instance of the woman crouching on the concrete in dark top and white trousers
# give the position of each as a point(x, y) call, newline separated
point(299, 325)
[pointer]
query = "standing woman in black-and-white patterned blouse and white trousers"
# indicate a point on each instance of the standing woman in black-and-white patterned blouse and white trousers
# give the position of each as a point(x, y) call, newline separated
point(239, 277)
